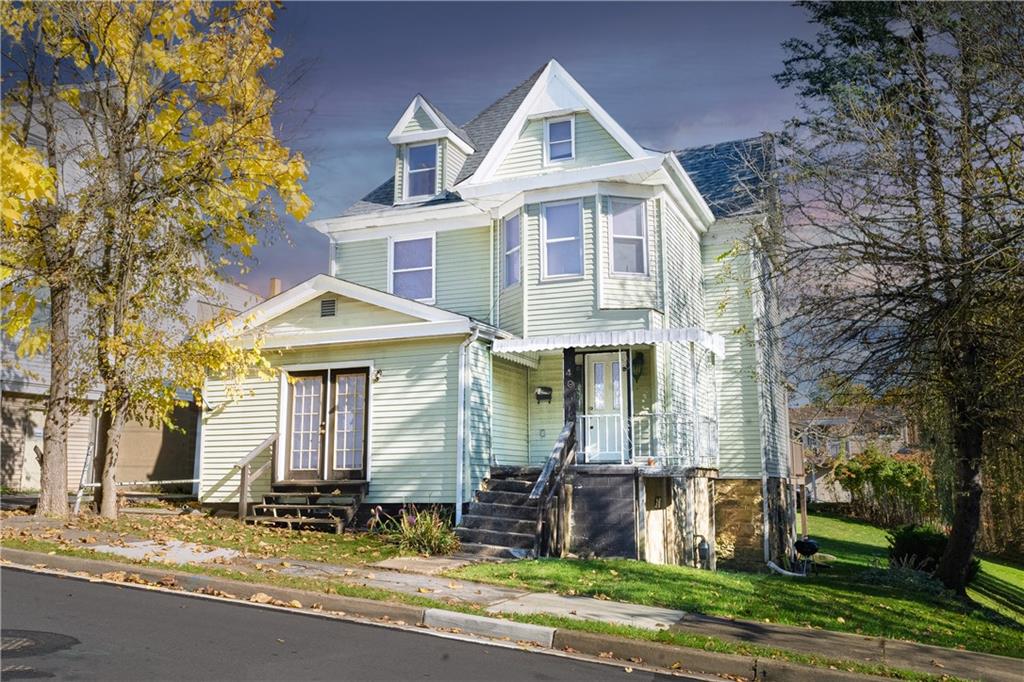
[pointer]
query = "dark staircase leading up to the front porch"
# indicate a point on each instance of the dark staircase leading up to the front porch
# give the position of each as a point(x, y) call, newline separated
point(502, 521)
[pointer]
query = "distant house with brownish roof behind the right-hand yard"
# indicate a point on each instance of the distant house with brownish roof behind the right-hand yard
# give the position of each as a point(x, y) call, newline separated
point(829, 435)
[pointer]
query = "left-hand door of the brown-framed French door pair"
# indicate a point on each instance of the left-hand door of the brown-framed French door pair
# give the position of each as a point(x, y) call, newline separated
point(307, 427)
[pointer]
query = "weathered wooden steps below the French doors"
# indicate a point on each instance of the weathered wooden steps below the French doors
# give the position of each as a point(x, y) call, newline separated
point(298, 507)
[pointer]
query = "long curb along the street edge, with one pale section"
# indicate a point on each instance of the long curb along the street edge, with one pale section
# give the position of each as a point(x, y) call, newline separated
point(568, 642)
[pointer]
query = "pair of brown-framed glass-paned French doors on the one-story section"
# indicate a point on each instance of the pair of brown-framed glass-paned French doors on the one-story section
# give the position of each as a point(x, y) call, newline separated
point(328, 424)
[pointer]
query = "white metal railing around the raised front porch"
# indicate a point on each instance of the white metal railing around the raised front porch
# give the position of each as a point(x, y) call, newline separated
point(657, 440)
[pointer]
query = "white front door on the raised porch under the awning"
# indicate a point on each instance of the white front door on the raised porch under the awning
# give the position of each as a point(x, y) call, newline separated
point(604, 423)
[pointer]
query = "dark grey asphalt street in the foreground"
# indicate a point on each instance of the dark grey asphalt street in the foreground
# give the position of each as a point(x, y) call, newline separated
point(74, 630)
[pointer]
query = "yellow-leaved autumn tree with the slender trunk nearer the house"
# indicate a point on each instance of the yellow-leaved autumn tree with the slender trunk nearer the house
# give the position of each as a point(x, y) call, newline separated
point(178, 170)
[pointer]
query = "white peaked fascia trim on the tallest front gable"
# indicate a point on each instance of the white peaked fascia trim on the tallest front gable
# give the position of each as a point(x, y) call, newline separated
point(554, 72)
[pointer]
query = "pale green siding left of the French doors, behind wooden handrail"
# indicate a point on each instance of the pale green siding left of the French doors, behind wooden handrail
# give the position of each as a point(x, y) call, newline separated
point(240, 419)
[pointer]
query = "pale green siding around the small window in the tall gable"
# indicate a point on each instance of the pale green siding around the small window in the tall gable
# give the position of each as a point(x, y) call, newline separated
point(593, 147)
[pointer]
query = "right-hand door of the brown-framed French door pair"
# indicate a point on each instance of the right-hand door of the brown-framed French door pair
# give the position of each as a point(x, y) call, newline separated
point(350, 435)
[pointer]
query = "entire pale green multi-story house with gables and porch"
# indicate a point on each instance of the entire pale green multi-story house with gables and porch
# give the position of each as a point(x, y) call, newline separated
point(531, 280)
